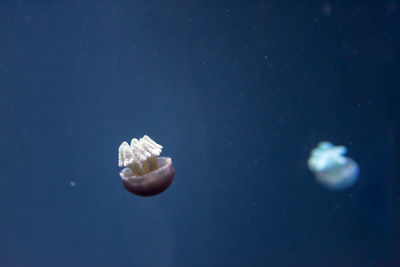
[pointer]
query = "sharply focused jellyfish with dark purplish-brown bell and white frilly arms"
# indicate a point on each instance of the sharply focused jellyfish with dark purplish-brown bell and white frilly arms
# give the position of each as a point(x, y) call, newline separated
point(145, 174)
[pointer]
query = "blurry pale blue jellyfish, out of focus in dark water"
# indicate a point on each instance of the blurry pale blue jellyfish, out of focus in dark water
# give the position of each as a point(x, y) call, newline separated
point(331, 168)
